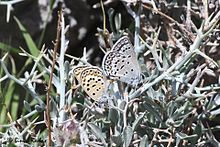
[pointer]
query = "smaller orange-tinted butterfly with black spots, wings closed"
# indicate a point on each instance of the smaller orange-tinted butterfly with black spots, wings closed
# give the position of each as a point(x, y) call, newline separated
point(92, 80)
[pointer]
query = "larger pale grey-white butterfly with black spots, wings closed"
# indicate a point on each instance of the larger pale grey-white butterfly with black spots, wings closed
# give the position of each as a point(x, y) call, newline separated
point(121, 63)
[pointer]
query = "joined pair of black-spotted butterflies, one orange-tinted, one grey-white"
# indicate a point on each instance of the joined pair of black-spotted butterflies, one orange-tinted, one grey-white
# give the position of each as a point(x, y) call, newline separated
point(119, 63)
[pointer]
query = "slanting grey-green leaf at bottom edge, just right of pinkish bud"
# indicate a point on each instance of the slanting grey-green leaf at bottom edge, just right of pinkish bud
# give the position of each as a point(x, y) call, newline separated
point(97, 132)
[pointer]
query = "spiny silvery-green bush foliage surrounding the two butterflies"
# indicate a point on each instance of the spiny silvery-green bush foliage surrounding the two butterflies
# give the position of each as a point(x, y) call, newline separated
point(177, 47)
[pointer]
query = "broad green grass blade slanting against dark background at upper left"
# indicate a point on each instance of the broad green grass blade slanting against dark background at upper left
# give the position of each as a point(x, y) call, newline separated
point(29, 41)
